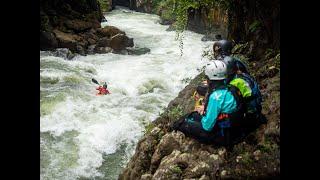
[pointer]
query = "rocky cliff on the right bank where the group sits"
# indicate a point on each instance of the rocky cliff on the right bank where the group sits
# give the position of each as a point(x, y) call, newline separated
point(163, 154)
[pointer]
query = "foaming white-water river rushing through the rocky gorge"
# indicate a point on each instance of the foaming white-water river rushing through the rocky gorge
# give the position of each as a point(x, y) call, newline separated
point(84, 136)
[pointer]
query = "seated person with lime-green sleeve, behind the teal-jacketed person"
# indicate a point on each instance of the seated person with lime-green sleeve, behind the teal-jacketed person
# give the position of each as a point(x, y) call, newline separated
point(250, 93)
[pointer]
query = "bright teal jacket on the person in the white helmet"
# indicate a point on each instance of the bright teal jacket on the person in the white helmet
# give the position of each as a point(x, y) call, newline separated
point(220, 101)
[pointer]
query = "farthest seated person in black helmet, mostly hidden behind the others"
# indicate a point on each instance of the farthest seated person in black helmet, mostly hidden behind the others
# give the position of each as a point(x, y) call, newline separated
point(222, 51)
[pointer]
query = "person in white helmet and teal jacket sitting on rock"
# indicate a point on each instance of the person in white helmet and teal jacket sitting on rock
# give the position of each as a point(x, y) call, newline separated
point(216, 121)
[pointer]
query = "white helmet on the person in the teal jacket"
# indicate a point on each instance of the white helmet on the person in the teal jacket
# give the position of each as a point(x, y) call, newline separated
point(216, 70)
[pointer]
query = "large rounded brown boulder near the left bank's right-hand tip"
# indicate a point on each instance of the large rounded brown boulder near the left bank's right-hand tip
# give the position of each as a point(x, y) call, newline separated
point(120, 42)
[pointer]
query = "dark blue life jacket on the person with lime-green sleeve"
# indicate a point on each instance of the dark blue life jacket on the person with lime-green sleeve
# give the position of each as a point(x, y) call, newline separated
point(253, 103)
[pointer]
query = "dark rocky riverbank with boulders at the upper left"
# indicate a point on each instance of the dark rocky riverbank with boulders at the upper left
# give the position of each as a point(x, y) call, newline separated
point(76, 25)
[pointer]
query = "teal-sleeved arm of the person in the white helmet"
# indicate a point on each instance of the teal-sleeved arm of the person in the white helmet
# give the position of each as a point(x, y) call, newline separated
point(212, 111)
